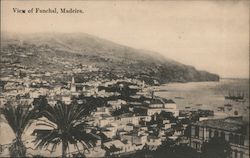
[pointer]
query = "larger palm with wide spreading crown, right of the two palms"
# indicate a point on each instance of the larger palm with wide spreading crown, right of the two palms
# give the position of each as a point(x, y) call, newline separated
point(66, 125)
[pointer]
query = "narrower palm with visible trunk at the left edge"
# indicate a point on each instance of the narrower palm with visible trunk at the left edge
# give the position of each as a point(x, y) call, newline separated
point(19, 118)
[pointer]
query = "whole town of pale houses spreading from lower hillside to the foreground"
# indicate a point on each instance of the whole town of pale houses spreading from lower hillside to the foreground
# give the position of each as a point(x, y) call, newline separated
point(125, 117)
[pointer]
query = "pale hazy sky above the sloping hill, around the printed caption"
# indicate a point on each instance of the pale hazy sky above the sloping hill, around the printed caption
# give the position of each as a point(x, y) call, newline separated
point(209, 35)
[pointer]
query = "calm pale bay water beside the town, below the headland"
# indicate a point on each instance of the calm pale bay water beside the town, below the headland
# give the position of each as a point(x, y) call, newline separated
point(208, 95)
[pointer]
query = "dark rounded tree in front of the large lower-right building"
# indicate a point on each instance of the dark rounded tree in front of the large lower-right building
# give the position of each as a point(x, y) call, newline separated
point(217, 147)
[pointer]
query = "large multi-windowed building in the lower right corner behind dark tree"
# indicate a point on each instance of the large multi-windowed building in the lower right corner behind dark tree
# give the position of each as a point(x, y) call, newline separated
point(235, 131)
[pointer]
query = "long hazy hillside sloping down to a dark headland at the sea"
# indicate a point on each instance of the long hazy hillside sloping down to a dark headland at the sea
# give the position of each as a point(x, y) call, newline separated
point(38, 50)
